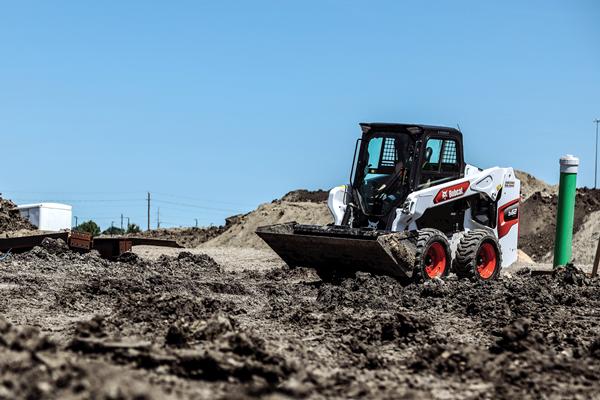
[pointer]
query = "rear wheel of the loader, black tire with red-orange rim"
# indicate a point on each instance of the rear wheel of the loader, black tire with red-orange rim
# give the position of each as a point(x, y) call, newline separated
point(471, 259)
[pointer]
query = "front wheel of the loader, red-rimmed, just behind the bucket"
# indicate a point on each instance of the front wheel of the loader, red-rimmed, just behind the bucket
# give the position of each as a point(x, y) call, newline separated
point(431, 244)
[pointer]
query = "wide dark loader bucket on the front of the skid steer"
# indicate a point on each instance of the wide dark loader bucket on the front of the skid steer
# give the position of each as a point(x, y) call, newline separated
point(342, 248)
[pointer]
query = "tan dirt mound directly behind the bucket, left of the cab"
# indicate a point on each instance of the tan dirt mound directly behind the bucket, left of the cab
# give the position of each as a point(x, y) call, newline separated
point(241, 234)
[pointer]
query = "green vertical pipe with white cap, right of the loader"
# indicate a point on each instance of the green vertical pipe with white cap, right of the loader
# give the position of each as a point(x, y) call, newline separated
point(563, 245)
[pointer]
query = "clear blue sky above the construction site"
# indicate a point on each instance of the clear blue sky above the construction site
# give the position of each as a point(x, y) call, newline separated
point(215, 107)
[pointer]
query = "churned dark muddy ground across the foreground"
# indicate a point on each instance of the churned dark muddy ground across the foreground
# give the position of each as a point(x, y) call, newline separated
point(240, 325)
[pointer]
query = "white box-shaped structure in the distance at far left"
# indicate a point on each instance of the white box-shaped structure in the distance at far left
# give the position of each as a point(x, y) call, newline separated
point(48, 216)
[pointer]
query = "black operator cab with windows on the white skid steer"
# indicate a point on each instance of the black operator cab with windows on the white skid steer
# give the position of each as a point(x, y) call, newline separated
point(394, 160)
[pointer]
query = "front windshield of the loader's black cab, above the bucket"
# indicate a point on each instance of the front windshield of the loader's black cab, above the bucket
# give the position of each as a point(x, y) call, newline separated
point(381, 176)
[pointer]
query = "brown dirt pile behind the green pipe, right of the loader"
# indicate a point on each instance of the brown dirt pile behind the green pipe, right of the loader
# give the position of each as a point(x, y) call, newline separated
point(538, 225)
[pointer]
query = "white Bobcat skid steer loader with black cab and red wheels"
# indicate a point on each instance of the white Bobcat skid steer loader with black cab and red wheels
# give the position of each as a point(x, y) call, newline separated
point(413, 209)
